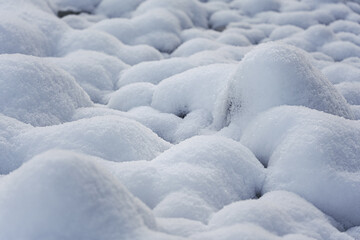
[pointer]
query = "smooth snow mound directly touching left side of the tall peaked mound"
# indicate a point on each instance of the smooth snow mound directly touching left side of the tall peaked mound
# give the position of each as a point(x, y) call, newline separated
point(185, 92)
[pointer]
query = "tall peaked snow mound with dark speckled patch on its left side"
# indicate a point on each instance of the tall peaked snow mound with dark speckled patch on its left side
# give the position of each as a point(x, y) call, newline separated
point(274, 74)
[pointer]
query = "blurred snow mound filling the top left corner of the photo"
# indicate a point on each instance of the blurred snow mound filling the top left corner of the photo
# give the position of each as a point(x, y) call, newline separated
point(28, 30)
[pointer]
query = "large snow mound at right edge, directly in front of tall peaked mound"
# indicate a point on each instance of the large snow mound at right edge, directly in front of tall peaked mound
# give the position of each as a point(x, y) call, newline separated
point(311, 153)
